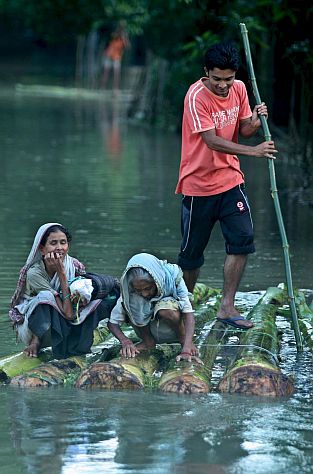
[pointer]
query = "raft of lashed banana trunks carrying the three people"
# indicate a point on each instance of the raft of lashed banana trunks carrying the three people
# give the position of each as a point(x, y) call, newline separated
point(254, 371)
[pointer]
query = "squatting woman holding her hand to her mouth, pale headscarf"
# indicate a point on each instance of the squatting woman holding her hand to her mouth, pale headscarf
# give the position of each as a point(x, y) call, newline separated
point(43, 310)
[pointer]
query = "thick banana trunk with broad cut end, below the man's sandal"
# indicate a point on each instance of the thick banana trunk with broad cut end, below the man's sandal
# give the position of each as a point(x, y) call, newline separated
point(255, 370)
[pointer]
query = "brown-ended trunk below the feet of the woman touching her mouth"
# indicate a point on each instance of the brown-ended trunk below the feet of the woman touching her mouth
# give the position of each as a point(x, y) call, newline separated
point(54, 372)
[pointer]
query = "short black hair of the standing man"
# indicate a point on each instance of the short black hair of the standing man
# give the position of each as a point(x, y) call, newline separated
point(224, 55)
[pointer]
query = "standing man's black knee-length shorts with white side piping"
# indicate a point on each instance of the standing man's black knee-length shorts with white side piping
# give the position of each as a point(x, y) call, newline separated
point(200, 213)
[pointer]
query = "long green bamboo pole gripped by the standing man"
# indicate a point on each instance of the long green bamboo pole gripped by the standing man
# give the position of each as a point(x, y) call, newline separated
point(274, 192)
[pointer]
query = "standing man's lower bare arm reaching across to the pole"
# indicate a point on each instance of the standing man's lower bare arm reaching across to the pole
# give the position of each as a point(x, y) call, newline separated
point(264, 149)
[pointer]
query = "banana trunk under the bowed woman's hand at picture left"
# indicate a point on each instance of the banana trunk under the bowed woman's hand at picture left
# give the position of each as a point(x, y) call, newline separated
point(121, 373)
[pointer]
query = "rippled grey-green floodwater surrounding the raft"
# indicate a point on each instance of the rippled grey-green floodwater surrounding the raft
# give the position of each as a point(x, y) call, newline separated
point(111, 182)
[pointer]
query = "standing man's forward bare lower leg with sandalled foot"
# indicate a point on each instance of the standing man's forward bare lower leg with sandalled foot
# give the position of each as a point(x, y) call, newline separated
point(233, 270)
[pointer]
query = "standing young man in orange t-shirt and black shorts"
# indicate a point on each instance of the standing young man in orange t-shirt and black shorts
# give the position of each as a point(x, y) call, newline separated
point(216, 110)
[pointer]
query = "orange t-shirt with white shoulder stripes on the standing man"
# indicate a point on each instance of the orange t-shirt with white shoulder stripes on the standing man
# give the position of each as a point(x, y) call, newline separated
point(205, 172)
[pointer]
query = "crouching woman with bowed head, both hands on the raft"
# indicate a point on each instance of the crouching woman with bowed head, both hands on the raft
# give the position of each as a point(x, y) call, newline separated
point(154, 299)
